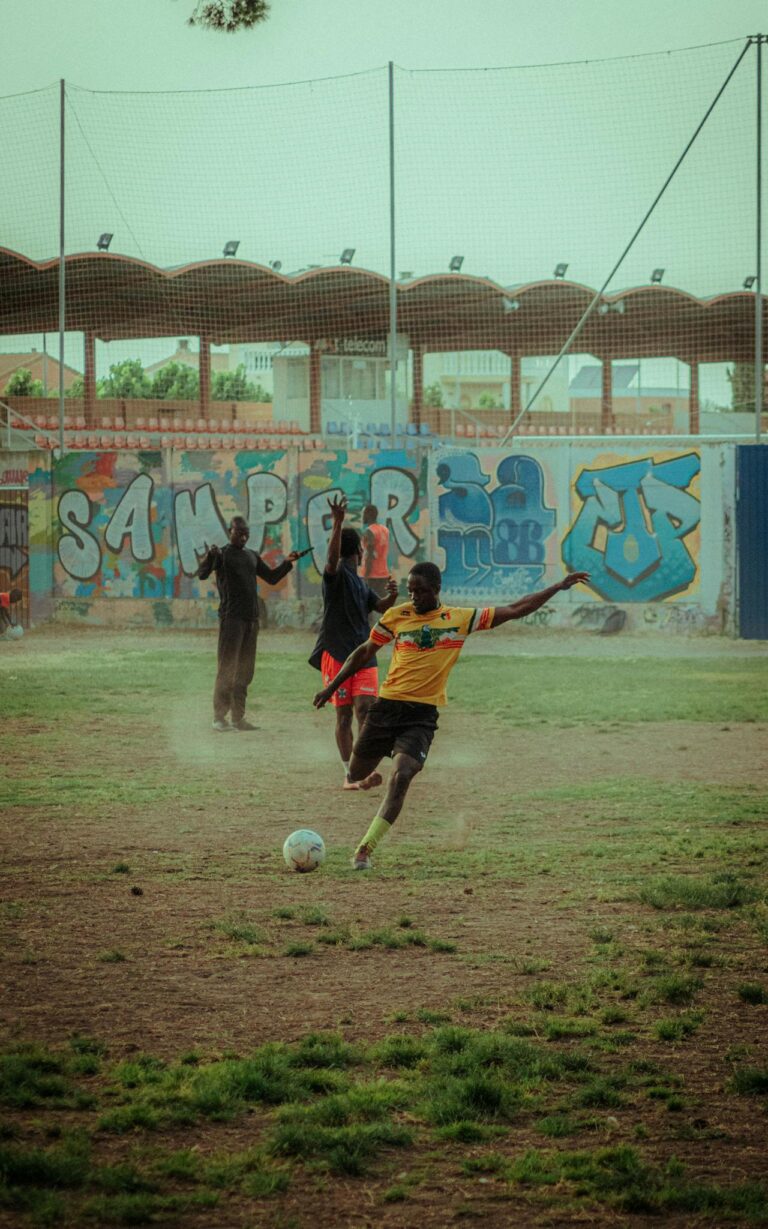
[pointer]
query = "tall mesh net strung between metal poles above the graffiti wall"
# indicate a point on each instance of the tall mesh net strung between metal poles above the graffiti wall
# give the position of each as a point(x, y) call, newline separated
point(515, 192)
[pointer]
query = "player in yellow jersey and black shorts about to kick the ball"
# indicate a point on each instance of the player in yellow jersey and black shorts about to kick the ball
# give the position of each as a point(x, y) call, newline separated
point(427, 638)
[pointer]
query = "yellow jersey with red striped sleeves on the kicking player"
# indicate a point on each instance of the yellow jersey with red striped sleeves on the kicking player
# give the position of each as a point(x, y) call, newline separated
point(426, 648)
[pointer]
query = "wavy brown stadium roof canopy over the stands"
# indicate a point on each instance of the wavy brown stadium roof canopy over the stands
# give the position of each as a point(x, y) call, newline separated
point(114, 297)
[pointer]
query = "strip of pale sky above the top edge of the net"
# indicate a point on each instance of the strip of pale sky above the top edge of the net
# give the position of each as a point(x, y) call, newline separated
point(146, 45)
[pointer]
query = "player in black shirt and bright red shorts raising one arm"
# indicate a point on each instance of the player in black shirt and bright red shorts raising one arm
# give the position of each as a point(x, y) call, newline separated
point(347, 603)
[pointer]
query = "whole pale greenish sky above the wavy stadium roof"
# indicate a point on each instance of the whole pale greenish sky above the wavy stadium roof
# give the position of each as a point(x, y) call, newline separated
point(515, 170)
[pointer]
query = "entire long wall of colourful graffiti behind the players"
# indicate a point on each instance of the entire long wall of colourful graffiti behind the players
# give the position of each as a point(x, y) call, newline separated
point(117, 536)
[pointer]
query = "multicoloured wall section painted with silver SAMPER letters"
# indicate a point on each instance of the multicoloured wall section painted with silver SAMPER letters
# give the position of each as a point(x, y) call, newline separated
point(135, 525)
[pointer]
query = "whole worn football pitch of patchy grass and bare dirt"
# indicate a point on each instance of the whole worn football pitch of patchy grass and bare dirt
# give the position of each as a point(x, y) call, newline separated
point(546, 1006)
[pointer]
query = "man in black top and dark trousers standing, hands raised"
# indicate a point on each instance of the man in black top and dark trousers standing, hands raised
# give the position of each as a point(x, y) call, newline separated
point(237, 573)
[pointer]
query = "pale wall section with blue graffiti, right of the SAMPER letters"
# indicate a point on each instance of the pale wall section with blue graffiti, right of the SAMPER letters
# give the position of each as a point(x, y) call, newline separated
point(651, 525)
